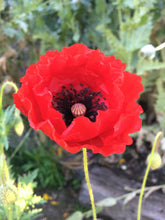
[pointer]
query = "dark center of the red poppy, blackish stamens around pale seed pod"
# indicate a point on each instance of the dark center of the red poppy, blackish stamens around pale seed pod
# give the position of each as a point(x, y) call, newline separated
point(70, 102)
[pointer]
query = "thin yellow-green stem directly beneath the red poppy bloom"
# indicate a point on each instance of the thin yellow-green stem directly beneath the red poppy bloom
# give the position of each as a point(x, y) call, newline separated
point(88, 183)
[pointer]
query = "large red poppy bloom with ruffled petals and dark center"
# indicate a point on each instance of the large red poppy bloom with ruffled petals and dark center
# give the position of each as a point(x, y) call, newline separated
point(81, 98)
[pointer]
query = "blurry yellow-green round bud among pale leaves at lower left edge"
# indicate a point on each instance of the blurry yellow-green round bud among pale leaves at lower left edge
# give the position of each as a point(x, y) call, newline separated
point(8, 194)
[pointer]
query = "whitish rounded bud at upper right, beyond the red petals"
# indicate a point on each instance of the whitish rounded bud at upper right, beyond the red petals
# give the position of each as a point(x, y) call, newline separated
point(148, 51)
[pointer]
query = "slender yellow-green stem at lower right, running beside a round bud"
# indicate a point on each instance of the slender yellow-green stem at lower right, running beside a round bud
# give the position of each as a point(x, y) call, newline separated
point(155, 144)
